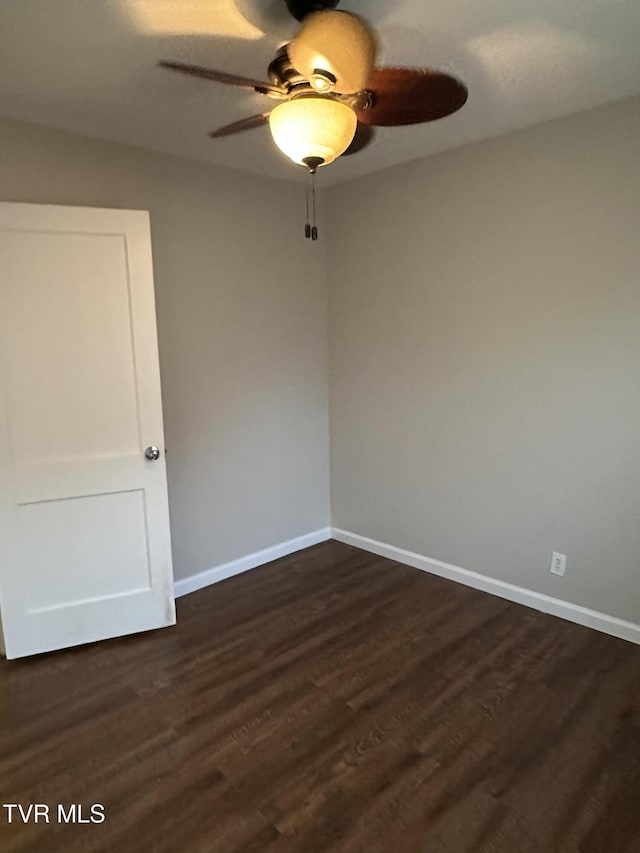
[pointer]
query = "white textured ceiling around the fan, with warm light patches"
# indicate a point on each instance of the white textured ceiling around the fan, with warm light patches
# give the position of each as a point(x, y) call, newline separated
point(90, 66)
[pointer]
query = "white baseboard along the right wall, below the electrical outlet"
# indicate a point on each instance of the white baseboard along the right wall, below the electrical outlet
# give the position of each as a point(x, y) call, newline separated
point(555, 606)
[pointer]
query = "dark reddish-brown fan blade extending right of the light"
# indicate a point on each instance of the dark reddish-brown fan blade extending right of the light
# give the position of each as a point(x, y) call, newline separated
point(411, 96)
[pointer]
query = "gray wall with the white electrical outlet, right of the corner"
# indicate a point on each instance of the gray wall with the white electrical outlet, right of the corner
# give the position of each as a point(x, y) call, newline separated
point(485, 357)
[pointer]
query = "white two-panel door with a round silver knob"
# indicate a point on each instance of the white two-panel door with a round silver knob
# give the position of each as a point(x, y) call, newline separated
point(85, 551)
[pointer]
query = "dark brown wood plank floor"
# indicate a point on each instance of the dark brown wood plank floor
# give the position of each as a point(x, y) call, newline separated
point(332, 701)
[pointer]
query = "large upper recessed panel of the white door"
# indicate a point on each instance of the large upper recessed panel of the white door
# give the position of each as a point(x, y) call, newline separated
point(83, 352)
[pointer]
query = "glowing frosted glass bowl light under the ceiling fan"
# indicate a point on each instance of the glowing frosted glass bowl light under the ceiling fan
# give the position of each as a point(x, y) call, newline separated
point(314, 128)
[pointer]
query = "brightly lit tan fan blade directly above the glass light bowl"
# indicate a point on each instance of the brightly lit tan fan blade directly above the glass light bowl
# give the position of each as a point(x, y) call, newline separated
point(338, 43)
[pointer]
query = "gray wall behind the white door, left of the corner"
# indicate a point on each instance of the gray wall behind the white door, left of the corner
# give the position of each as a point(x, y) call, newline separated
point(241, 327)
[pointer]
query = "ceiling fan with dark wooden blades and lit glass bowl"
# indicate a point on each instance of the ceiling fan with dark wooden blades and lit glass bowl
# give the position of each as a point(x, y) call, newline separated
point(331, 94)
